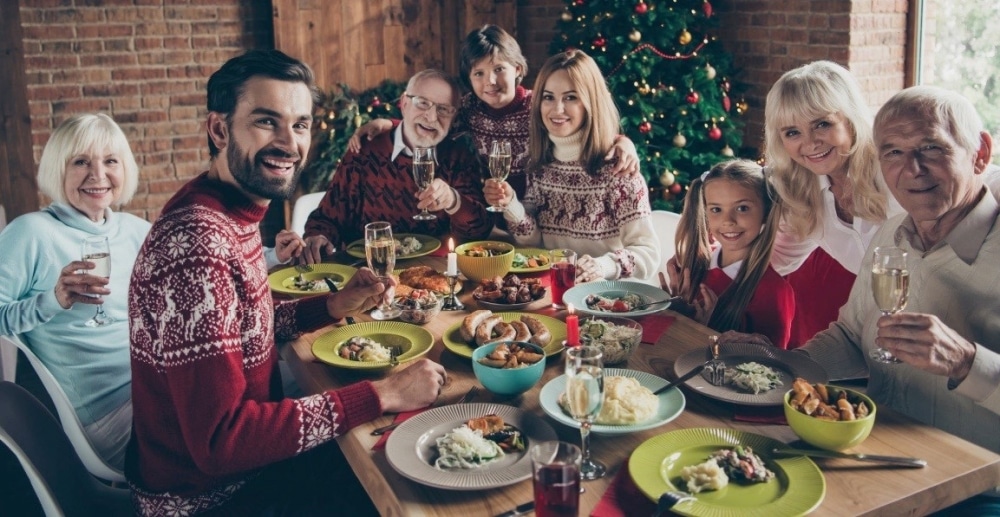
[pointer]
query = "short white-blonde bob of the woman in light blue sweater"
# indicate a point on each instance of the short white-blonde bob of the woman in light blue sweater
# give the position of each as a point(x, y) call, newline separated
point(89, 132)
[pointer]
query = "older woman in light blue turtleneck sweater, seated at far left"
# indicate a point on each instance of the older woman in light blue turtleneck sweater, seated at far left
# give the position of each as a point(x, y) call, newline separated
point(47, 295)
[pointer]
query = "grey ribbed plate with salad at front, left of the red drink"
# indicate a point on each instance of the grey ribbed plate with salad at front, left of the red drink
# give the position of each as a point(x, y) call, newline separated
point(412, 447)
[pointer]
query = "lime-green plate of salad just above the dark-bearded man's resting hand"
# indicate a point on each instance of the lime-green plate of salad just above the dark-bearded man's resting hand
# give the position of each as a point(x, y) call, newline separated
point(415, 342)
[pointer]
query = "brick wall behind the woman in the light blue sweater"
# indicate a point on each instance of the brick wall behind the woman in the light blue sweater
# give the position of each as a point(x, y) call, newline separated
point(145, 63)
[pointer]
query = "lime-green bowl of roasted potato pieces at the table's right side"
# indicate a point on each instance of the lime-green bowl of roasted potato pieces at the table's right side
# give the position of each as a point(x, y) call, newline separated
point(829, 417)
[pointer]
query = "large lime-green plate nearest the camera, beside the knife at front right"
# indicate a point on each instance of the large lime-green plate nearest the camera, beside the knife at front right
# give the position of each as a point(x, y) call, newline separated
point(655, 466)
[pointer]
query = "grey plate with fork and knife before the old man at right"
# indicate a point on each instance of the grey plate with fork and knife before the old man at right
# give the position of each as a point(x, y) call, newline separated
point(787, 364)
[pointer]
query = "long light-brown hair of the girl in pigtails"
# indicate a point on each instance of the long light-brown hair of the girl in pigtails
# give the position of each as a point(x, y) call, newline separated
point(694, 252)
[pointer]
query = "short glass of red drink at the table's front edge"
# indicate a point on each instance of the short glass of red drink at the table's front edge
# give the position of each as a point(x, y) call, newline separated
point(555, 468)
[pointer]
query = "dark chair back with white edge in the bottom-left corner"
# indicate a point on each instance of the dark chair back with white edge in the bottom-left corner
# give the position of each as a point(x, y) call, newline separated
point(60, 480)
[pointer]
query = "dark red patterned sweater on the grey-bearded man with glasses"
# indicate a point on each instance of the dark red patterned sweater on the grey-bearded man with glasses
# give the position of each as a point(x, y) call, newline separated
point(368, 186)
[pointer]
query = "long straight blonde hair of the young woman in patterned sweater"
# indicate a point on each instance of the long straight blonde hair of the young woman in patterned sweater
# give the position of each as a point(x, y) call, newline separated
point(600, 126)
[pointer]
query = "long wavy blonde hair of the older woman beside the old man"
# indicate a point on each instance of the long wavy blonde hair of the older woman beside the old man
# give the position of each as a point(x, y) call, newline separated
point(813, 91)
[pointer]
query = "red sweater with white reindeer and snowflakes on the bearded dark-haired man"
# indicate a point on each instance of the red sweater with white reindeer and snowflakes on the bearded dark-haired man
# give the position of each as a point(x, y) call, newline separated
point(209, 412)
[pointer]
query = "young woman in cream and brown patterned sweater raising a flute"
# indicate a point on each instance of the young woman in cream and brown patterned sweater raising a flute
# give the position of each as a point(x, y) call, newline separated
point(574, 200)
